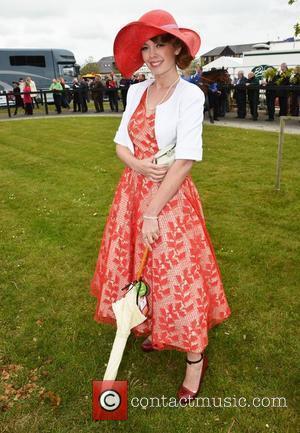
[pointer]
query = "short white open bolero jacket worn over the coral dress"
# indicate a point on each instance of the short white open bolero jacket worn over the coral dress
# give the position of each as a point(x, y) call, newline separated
point(177, 120)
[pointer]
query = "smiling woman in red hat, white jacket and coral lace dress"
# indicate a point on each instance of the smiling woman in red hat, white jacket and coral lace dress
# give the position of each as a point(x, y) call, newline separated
point(159, 206)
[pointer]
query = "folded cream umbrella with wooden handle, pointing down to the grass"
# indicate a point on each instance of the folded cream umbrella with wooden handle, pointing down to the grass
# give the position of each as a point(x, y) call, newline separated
point(130, 311)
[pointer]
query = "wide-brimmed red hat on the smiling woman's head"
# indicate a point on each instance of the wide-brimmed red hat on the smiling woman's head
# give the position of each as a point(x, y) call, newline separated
point(129, 40)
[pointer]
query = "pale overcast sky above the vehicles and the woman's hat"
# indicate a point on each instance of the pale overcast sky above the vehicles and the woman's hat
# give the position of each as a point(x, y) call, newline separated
point(88, 28)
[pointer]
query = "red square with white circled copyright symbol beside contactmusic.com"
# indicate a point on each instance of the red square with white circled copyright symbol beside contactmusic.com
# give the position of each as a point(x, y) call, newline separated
point(110, 400)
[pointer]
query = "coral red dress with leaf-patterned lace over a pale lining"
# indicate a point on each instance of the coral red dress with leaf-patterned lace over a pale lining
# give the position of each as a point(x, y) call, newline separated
point(187, 297)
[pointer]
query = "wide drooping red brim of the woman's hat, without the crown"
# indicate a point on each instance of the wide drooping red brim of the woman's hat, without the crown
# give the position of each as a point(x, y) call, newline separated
point(129, 40)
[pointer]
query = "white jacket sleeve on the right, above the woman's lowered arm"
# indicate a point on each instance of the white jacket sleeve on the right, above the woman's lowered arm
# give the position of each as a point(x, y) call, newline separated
point(189, 126)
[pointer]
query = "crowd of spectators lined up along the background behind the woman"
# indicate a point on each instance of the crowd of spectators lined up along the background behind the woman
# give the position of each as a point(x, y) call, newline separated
point(219, 97)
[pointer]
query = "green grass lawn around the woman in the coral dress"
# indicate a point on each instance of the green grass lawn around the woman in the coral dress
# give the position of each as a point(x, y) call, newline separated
point(58, 178)
